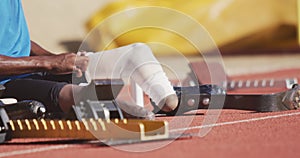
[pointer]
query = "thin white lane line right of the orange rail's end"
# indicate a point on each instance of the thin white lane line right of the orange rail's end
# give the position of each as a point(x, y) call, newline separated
point(236, 122)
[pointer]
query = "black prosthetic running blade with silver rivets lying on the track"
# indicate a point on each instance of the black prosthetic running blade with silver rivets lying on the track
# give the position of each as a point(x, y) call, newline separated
point(214, 97)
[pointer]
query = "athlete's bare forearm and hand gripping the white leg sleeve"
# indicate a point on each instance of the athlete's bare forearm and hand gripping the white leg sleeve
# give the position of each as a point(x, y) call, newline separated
point(43, 61)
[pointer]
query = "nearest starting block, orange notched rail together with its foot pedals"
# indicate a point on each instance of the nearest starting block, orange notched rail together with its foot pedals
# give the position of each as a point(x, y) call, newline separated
point(96, 125)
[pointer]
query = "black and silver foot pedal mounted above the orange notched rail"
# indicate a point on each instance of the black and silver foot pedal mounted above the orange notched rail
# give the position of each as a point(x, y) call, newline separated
point(103, 104)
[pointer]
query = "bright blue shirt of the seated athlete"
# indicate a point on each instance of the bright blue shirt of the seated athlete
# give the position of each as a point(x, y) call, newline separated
point(14, 34)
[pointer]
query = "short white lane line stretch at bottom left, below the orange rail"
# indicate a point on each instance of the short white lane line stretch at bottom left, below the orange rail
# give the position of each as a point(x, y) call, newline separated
point(35, 150)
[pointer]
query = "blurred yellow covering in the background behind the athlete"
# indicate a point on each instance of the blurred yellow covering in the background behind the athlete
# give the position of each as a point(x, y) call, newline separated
point(235, 25)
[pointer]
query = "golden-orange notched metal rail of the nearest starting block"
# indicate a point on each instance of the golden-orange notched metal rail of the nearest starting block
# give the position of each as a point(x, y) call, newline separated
point(110, 131)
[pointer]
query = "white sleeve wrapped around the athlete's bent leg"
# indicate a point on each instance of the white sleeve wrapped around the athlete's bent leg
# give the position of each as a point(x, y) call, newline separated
point(135, 61)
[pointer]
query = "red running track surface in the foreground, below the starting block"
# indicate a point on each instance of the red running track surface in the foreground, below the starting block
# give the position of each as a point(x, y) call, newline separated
point(236, 134)
